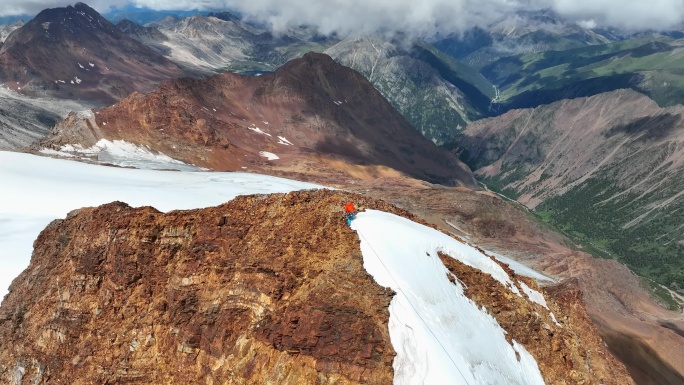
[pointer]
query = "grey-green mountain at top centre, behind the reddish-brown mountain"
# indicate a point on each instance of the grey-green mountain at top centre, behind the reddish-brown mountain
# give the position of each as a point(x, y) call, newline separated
point(437, 94)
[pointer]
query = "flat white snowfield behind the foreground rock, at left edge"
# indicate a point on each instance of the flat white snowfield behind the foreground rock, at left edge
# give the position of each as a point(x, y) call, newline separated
point(35, 190)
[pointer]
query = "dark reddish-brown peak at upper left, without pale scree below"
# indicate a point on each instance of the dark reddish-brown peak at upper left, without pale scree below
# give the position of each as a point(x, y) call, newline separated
point(74, 52)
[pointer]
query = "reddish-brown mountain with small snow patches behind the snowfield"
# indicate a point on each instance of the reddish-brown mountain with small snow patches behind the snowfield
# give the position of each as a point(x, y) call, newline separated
point(319, 107)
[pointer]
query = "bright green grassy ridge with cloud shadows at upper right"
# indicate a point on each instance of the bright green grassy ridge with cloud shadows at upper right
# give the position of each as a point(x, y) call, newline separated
point(653, 66)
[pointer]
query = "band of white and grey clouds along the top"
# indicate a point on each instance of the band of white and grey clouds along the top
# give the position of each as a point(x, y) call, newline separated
point(411, 16)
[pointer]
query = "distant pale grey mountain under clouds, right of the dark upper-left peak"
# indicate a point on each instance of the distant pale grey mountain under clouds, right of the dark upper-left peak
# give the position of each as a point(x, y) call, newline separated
point(220, 42)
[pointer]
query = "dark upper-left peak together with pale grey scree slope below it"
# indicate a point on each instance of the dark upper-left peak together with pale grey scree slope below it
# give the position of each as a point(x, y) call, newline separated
point(63, 60)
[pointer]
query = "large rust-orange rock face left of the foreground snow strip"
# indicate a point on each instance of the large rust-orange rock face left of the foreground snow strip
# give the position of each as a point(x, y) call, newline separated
point(263, 289)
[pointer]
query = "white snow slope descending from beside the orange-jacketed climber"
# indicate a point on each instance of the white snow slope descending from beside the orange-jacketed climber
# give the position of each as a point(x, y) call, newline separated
point(441, 336)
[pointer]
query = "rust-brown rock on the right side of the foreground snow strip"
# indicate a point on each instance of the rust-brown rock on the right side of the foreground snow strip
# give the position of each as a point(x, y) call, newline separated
point(568, 352)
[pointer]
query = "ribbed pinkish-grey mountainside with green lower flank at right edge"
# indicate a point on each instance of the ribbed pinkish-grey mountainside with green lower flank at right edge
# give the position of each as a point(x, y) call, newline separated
point(607, 170)
